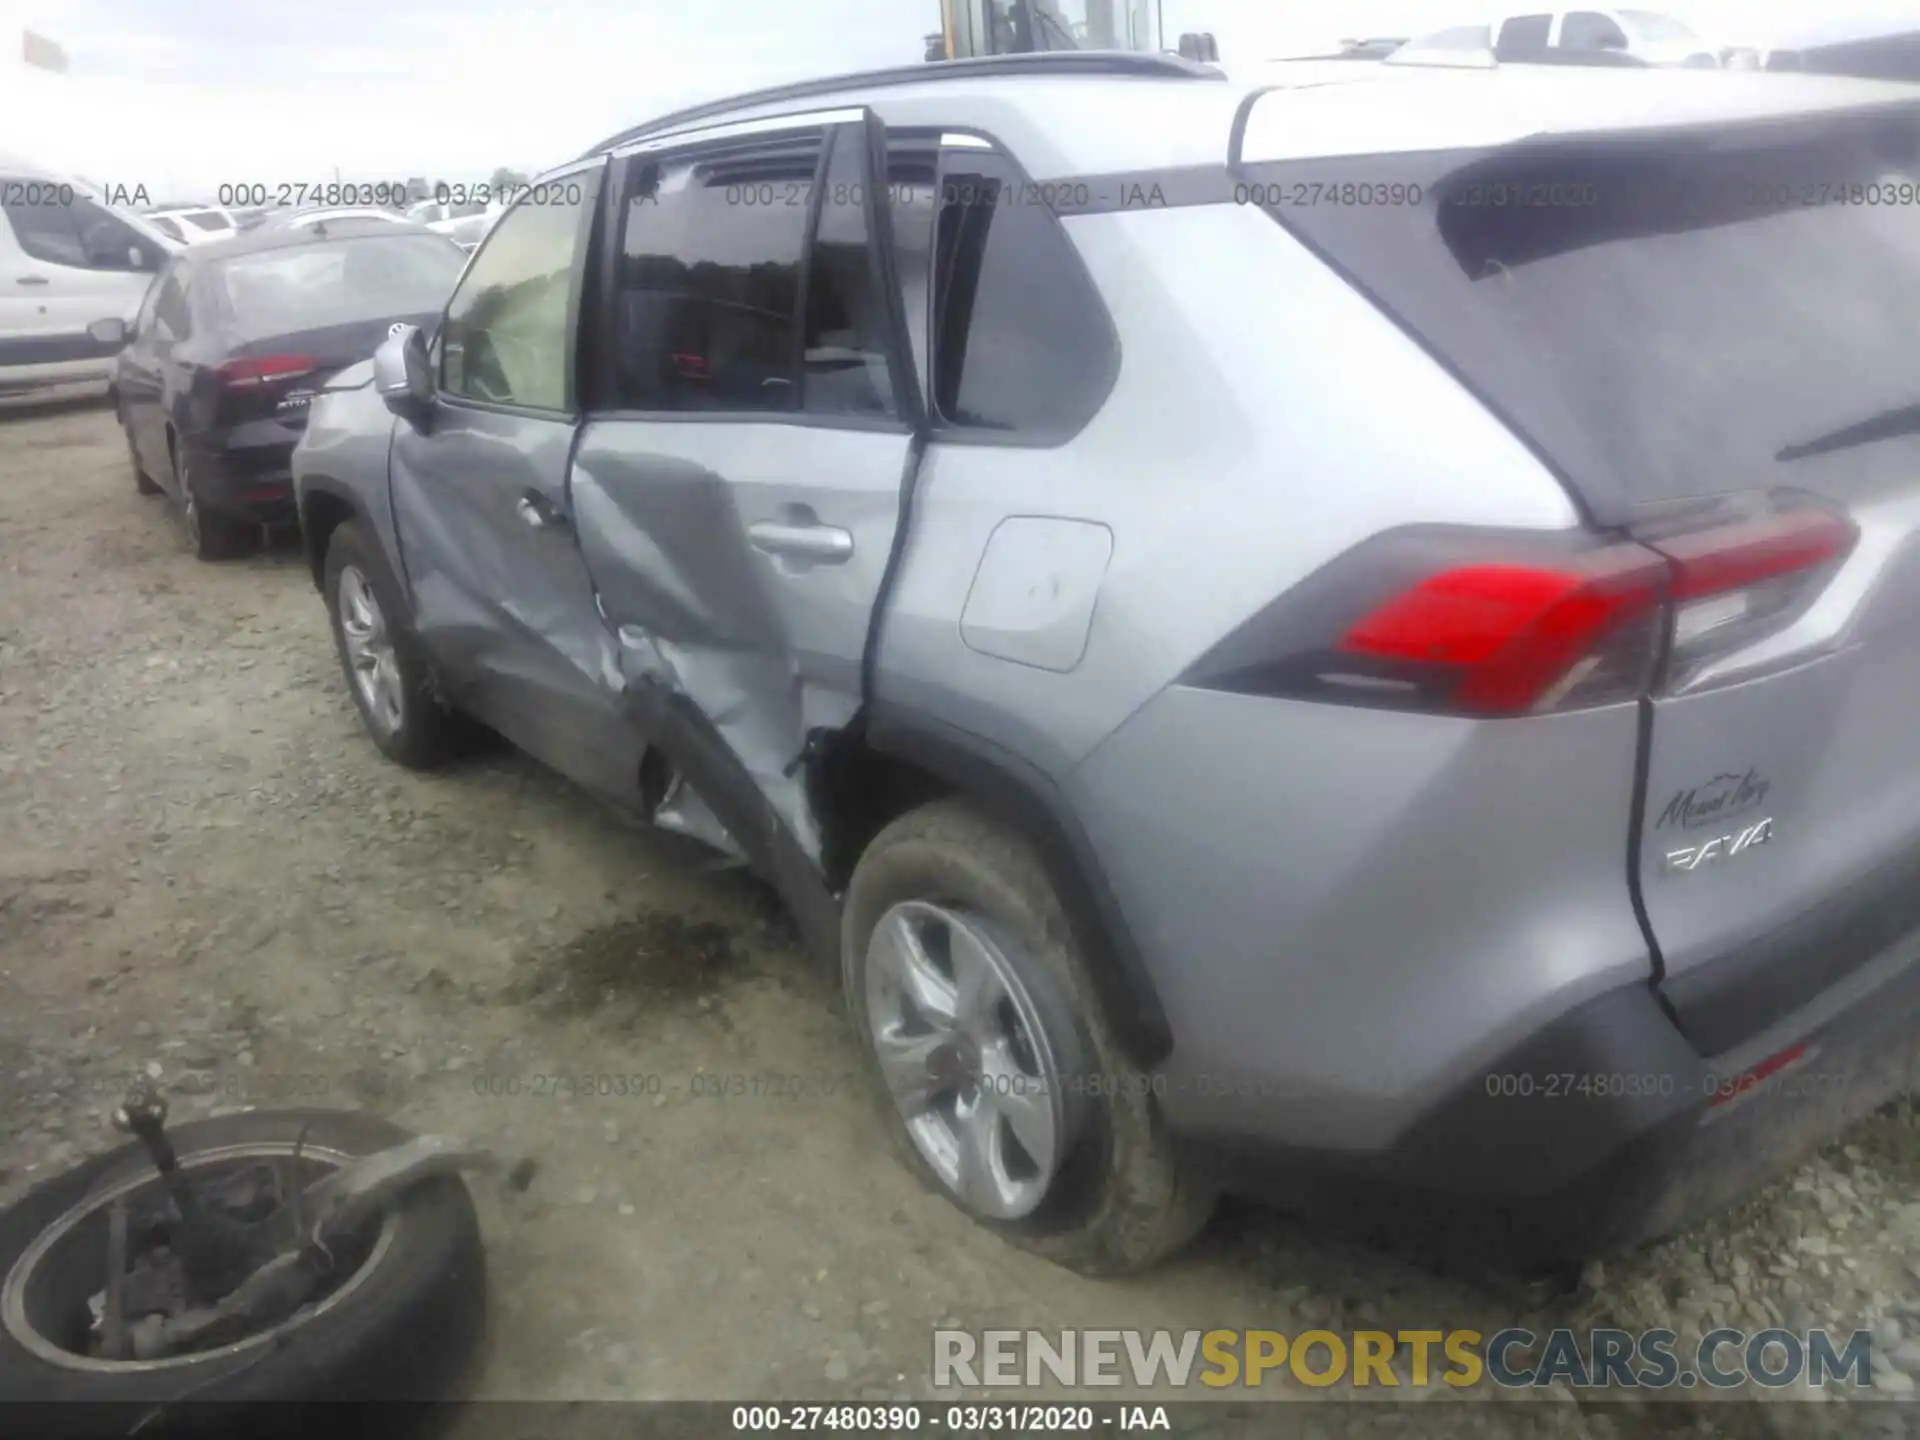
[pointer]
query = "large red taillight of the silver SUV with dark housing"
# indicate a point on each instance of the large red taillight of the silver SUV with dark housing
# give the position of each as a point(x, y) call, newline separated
point(1499, 625)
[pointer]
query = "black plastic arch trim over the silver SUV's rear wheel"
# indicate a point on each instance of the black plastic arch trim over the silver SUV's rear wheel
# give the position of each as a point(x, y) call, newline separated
point(1024, 794)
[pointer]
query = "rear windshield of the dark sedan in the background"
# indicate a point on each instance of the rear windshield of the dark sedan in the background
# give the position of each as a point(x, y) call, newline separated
point(339, 283)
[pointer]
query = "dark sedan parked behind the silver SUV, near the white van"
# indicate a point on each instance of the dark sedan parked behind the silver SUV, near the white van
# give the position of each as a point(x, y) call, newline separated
point(235, 339)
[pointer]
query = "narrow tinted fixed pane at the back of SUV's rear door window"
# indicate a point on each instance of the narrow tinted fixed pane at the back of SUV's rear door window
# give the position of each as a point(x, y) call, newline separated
point(844, 370)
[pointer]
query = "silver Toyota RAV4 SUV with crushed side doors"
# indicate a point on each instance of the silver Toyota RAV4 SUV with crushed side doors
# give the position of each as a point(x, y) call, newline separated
point(1353, 638)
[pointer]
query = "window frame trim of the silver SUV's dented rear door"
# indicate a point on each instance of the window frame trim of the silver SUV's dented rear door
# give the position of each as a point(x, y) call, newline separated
point(742, 139)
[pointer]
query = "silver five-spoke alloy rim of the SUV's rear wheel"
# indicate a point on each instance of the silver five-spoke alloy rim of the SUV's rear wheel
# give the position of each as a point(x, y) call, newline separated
point(969, 1059)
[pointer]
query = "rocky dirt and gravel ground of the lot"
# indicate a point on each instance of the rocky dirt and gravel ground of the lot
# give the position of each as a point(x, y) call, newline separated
point(210, 875)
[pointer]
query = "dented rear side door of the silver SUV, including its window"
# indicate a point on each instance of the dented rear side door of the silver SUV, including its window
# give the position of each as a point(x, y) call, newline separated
point(738, 483)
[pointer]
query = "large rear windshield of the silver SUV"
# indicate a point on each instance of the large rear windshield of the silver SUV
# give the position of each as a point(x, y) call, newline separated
point(1664, 318)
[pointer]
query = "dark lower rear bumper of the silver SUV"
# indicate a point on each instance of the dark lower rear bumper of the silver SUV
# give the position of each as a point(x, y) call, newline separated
point(1608, 1130)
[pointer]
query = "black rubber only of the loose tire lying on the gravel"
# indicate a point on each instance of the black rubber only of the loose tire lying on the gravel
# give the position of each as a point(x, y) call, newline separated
point(408, 1332)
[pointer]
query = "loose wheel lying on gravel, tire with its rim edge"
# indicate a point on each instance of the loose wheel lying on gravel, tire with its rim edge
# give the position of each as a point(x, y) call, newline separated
point(398, 1322)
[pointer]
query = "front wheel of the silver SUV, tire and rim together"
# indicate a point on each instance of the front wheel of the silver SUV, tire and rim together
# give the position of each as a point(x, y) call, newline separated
point(387, 673)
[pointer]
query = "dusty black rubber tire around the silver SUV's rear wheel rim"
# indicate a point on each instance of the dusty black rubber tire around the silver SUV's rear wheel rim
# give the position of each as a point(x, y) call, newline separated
point(1122, 1199)
